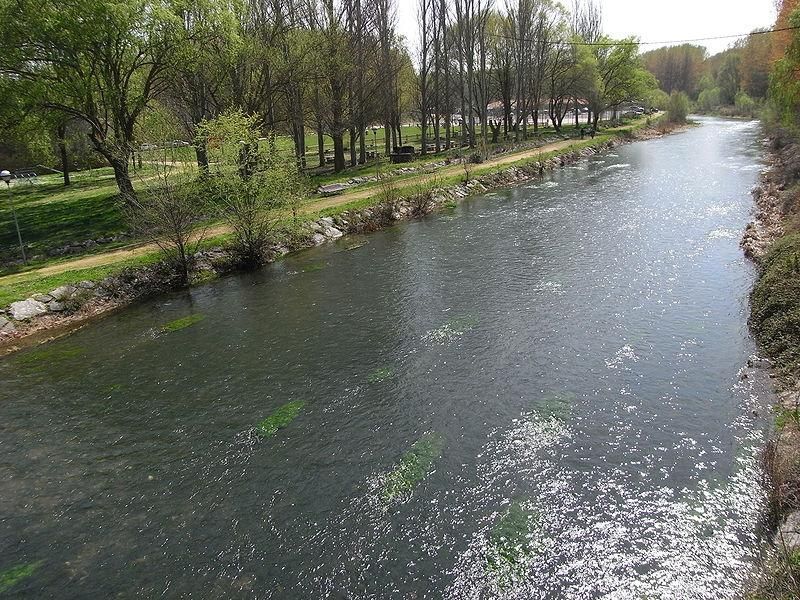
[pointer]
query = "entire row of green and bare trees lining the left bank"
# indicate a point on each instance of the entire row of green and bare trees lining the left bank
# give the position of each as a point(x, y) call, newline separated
point(99, 68)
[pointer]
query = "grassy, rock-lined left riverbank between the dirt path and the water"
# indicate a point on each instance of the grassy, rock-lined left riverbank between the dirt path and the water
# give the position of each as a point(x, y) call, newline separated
point(67, 307)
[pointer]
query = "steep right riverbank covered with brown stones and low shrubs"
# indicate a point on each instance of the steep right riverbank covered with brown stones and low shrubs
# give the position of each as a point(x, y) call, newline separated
point(772, 240)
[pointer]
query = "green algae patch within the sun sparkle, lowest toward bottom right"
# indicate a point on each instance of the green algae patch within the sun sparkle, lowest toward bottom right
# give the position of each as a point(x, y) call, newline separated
point(515, 539)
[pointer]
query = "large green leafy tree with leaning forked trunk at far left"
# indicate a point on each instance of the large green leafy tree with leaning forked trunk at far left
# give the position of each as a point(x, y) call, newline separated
point(99, 62)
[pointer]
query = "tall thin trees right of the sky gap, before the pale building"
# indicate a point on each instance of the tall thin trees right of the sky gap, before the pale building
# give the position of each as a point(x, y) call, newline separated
point(530, 57)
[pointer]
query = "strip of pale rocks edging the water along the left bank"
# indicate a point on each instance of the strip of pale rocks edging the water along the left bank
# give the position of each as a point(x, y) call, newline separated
point(79, 305)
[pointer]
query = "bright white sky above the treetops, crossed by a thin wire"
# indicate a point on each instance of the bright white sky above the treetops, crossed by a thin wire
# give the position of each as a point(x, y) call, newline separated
point(655, 21)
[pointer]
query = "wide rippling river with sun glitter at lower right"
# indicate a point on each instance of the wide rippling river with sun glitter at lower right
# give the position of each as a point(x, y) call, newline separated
point(564, 361)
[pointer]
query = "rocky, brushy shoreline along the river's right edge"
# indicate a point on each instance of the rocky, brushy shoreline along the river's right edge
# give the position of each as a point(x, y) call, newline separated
point(762, 242)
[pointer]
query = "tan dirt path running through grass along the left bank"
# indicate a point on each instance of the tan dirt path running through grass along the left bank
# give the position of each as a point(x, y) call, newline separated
point(127, 253)
